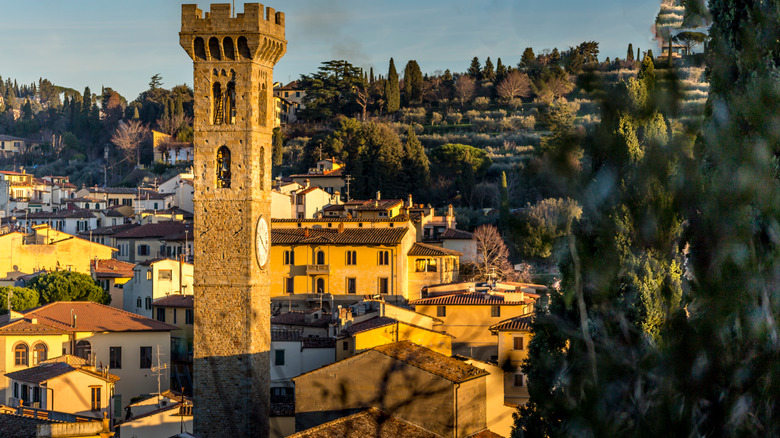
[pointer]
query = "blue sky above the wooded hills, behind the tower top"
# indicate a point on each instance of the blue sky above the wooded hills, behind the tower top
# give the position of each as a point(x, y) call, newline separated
point(121, 44)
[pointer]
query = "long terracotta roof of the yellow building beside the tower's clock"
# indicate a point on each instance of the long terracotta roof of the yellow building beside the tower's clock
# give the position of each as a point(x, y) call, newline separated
point(360, 236)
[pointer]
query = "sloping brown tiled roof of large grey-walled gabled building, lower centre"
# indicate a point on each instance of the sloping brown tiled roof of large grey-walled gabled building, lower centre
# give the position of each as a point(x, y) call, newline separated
point(428, 360)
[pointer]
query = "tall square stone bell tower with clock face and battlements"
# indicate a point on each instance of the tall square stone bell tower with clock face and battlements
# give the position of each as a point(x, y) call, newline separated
point(233, 59)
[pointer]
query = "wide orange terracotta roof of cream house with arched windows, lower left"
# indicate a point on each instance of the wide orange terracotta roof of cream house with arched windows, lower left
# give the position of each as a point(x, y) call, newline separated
point(90, 317)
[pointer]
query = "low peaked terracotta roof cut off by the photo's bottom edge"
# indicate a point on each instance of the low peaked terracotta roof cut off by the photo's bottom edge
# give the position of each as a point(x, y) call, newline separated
point(369, 423)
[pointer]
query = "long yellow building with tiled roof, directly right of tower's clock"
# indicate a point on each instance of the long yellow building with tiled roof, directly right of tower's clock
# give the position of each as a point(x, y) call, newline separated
point(355, 257)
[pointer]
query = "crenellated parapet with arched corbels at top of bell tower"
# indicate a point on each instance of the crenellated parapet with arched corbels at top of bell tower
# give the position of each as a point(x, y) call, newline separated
point(255, 35)
